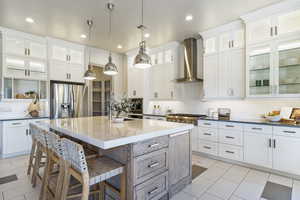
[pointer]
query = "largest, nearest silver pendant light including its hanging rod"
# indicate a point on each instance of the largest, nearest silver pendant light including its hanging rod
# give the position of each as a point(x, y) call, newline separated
point(142, 60)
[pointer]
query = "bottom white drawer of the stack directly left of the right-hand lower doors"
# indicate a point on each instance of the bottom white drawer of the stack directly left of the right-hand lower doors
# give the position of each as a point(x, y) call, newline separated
point(231, 152)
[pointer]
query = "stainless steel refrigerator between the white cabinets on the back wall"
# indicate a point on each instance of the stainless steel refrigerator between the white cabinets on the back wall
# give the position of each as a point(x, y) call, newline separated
point(66, 99)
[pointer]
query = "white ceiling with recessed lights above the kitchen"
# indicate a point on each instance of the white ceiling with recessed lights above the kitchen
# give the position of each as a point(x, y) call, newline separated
point(165, 19)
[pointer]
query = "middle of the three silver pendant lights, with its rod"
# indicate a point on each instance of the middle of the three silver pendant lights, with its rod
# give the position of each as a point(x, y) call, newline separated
point(110, 68)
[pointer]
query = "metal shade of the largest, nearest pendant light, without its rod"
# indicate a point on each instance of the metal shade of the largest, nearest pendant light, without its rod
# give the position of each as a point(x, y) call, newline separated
point(142, 60)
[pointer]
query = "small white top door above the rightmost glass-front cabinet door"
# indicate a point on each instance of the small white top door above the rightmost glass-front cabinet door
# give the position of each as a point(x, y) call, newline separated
point(289, 22)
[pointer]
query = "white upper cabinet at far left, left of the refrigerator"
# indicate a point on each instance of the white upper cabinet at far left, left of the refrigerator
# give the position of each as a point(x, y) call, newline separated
point(24, 56)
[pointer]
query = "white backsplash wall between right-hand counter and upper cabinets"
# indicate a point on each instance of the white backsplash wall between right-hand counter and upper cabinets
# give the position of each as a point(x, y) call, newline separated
point(241, 109)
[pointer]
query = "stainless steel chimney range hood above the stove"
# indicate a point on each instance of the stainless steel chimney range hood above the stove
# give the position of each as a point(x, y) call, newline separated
point(190, 61)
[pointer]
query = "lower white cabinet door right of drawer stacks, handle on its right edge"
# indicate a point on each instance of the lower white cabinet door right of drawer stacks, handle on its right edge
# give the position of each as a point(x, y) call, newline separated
point(257, 149)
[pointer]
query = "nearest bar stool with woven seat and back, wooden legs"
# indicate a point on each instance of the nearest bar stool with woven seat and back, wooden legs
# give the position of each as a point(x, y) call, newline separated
point(89, 172)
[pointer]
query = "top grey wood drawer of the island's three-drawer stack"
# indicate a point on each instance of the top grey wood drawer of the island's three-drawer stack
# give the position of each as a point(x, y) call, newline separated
point(150, 145)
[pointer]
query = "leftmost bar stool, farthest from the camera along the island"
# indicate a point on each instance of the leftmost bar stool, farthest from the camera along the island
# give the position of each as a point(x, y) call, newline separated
point(40, 149)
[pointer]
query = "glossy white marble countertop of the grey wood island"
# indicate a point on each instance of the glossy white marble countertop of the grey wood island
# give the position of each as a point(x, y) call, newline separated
point(100, 132)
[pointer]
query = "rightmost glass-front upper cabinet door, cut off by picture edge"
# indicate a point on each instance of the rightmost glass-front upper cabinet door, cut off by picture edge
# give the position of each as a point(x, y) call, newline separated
point(289, 67)
